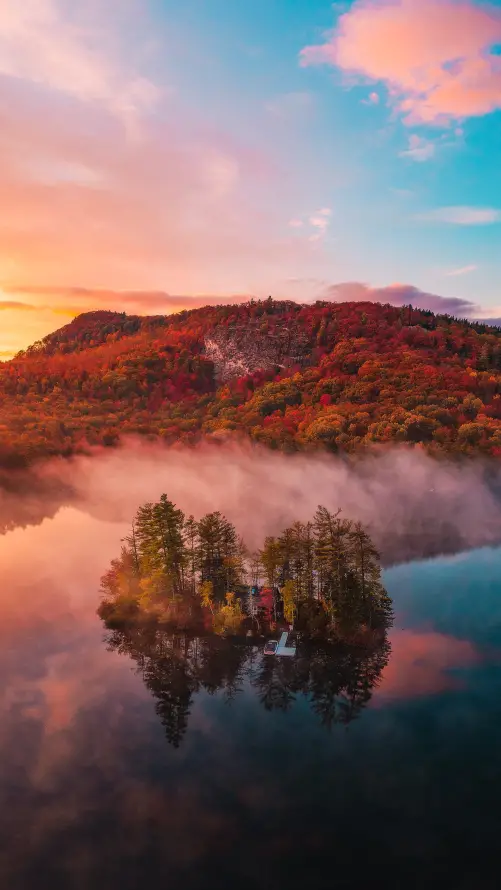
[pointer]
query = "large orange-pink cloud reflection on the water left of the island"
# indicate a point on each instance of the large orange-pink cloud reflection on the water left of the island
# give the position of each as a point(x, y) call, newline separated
point(53, 666)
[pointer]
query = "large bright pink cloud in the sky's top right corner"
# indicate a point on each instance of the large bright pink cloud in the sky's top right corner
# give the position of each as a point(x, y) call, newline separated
point(435, 56)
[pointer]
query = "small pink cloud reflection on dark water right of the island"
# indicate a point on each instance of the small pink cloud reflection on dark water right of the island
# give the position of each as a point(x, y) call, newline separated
point(421, 663)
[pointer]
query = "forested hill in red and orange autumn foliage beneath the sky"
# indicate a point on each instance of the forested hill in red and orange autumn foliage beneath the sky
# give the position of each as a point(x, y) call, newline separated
point(337, 376)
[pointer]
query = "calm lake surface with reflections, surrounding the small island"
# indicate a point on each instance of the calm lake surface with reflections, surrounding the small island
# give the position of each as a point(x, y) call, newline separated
point(143, 759)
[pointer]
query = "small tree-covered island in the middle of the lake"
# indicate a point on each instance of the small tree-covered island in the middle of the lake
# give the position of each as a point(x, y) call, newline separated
point(322, 578)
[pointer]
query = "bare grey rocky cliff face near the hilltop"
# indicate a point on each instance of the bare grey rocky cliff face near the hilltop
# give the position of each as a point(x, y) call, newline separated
point(248, 348)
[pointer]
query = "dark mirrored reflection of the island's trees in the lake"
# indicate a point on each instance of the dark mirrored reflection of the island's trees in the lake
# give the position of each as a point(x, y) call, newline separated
point(338, 682)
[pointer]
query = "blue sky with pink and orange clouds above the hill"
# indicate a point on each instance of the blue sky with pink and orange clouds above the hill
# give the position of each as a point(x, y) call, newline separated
point(157, 155)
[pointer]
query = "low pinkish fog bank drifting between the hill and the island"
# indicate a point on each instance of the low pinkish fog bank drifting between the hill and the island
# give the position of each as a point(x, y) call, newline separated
point(412, 504)
